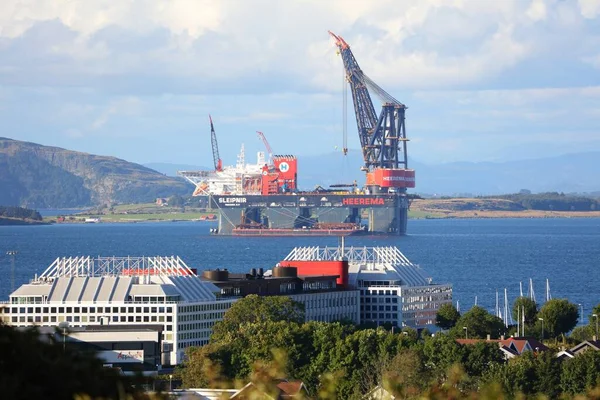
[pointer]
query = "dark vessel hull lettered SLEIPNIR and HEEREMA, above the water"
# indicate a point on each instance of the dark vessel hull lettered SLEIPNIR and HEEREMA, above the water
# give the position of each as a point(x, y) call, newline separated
point(293, 214)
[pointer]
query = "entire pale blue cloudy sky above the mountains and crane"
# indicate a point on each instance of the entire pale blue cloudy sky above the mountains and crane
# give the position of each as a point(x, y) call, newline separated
point(484, 80)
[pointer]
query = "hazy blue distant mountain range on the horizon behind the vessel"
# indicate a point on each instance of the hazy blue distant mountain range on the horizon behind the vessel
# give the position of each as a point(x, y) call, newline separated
point(569, 173)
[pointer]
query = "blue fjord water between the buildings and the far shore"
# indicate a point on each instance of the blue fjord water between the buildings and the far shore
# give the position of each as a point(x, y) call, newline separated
point(478, 256)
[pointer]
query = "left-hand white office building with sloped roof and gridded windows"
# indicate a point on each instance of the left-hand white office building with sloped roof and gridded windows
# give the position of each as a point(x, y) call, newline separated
point(82, 291)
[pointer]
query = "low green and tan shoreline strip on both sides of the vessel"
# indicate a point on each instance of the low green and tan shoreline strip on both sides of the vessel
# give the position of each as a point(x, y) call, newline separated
point(178, 209)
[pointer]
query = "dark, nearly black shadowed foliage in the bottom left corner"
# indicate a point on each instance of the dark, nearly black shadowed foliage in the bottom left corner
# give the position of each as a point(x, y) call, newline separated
point(32, 367)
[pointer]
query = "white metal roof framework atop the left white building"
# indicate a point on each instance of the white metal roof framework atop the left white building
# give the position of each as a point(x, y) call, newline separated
point(116, 266)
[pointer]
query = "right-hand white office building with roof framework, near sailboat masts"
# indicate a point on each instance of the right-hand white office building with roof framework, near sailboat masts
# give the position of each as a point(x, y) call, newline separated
point(393, 290)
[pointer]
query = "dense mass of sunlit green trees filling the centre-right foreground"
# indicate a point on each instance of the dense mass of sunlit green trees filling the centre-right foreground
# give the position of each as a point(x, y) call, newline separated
point(341, 361)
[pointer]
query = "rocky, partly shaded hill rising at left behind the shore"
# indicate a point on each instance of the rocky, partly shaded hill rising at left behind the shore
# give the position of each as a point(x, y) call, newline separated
point(39, 176)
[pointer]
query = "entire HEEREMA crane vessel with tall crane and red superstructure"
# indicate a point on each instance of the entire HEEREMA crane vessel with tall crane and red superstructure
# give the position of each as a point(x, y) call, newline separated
point(263, 199)
